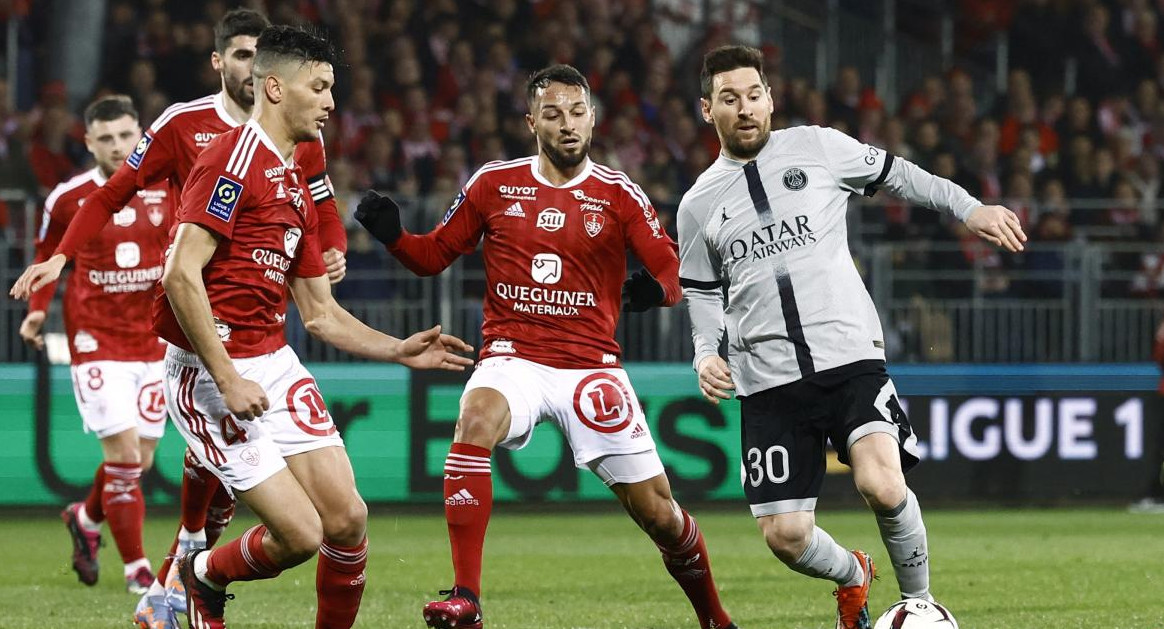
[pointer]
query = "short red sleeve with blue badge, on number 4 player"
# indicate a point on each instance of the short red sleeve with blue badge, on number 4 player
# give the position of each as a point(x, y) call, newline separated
point(212, 197)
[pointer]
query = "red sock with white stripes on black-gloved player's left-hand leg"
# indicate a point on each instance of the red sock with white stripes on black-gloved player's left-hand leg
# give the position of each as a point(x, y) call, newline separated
point(469, 504)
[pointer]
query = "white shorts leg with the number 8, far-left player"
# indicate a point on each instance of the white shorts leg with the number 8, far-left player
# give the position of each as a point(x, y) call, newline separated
point(107, 393)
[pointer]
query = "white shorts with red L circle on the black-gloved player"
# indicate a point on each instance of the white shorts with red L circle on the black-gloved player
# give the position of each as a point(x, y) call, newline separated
point(595, 409)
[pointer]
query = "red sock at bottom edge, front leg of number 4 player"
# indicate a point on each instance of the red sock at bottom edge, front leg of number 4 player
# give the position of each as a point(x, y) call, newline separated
point(339, 584)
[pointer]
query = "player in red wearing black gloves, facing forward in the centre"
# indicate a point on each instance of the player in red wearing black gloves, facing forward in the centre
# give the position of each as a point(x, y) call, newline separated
point(557, 228)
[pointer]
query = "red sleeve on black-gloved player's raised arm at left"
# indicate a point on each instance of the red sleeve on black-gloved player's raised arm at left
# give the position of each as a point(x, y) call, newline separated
point(458, 235)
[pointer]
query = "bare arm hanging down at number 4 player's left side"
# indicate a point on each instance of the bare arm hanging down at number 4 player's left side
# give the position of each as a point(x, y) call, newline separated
point(183, 282)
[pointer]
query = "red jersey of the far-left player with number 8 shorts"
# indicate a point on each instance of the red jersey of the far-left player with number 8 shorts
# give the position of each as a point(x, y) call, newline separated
point(109, 295)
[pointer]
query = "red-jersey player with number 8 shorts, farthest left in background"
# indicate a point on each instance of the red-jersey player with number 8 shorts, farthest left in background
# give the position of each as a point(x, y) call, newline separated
point(117, 359)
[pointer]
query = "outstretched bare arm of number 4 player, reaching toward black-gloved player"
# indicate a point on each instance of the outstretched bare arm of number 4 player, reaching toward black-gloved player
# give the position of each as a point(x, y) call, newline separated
point(329, 322)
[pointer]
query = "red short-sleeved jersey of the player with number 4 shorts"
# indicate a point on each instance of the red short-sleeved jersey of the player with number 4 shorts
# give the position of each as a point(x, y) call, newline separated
point(268, 229)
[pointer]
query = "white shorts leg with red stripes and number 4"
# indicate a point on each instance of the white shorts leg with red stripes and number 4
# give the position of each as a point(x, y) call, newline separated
point(242, 454)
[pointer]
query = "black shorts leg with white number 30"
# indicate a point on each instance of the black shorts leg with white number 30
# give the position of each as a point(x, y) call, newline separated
point(783, 451)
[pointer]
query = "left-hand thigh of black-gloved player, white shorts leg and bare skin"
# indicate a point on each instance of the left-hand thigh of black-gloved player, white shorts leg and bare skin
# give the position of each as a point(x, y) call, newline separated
point(508, 395)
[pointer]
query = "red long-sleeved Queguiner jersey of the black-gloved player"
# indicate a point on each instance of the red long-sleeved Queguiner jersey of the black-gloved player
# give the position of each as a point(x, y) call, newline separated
point(556, 258)
